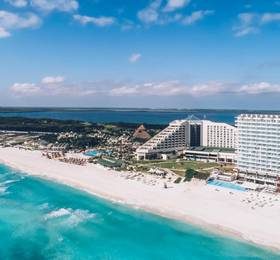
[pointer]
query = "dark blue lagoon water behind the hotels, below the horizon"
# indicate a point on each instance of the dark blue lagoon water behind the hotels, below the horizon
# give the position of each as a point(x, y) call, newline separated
point(113, 116)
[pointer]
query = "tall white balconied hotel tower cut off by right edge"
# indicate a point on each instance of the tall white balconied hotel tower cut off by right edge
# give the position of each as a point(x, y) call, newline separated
point(258, 150)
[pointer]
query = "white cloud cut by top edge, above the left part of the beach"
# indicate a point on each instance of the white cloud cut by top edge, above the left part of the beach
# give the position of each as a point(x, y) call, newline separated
point(56, 5)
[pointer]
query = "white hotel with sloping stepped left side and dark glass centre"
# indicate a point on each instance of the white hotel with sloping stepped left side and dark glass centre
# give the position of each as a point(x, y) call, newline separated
point(183, 134)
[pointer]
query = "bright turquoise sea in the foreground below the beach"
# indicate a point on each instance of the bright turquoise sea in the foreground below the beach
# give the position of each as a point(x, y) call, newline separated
point(44, 220)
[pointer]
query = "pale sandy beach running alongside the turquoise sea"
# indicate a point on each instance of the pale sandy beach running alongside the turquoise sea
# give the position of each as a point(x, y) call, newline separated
point(243, 214)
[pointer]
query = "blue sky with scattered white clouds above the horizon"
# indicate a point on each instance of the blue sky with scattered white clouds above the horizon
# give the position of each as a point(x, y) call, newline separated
point(140, 53)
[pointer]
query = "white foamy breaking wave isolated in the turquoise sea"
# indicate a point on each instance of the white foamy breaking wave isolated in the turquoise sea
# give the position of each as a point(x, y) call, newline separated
point(73, 217)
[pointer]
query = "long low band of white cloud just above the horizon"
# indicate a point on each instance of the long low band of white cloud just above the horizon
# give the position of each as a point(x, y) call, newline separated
point(56, 86)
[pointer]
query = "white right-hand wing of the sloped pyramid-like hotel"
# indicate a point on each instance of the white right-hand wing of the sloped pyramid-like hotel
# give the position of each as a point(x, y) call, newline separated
point(218, 135)
